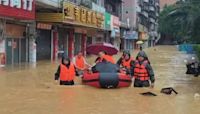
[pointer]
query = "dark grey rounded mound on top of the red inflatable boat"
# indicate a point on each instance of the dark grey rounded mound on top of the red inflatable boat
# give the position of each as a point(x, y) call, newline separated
point(105, 67)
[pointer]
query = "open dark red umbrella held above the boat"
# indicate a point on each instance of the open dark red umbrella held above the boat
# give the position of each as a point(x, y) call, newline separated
point(96, 48)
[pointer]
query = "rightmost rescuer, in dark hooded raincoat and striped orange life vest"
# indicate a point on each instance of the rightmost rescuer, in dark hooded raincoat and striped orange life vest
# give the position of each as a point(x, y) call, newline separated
point(142, 71)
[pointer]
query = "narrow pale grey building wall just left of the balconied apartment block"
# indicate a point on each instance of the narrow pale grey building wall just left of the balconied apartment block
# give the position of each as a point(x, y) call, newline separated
point(129, 17)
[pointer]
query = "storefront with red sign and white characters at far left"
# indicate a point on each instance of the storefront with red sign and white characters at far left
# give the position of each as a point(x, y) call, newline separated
point(17, 31)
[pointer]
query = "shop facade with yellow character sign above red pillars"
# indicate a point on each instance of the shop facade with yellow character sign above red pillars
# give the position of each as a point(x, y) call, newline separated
point(72, 25)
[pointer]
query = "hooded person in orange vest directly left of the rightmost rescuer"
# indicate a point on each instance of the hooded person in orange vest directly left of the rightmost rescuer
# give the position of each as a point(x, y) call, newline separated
point(125, 61)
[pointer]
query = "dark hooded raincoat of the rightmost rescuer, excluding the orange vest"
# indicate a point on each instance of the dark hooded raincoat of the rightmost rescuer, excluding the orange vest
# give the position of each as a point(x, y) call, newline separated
point(148, 66)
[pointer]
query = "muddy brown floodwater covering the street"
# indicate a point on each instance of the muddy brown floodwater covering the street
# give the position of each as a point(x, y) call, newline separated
point(32, 90)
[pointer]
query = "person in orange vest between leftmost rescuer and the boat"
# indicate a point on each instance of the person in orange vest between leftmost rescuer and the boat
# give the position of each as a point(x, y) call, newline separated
point(80, 63)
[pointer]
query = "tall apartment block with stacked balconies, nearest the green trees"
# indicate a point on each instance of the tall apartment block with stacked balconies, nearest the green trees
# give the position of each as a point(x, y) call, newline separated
point(148, 21)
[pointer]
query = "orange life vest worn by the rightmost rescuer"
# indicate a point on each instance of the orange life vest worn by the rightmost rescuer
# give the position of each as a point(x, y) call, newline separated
point(140, 71)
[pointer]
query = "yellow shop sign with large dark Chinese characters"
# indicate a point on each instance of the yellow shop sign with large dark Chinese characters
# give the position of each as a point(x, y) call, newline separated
point(83, 15)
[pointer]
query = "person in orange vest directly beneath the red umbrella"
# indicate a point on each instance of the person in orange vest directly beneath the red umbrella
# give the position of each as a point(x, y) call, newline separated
point(104, 55)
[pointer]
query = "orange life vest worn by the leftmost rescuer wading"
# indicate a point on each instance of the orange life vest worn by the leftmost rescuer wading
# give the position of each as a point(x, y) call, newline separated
point(67, 74)
